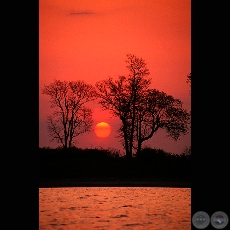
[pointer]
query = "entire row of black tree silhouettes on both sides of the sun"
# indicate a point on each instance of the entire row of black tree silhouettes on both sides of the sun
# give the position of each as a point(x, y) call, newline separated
point(142, 110)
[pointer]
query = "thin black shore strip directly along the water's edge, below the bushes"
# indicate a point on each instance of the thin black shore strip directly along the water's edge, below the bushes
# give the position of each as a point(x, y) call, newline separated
point(113, 182)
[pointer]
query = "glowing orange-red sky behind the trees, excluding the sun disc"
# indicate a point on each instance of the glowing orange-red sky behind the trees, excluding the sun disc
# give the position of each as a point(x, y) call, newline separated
point(88, 40)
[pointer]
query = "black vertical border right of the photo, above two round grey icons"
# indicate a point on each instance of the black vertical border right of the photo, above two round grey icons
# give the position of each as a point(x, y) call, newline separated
point(209, 109)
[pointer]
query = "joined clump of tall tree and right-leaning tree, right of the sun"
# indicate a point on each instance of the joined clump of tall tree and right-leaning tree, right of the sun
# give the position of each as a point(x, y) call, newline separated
point(142, 110)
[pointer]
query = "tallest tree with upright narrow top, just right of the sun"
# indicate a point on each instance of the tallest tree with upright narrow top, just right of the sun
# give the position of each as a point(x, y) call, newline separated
point(121, 97)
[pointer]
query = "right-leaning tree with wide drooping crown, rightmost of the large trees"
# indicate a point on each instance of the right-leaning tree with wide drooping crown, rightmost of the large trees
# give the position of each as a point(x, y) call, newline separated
point(160, 111)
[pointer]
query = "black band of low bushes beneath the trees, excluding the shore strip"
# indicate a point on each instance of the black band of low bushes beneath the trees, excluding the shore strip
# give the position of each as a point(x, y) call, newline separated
point(102, 163)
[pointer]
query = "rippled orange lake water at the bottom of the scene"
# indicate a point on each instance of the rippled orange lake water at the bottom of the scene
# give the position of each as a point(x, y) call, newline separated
point(154, 208)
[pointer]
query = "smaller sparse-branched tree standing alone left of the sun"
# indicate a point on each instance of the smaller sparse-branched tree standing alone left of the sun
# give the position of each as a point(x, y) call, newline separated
point(70, 117)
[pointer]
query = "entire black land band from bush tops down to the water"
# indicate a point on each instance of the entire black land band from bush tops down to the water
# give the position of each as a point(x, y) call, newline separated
point(97, 168)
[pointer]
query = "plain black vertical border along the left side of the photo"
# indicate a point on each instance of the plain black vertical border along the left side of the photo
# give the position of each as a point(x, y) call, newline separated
point(20, 116)
